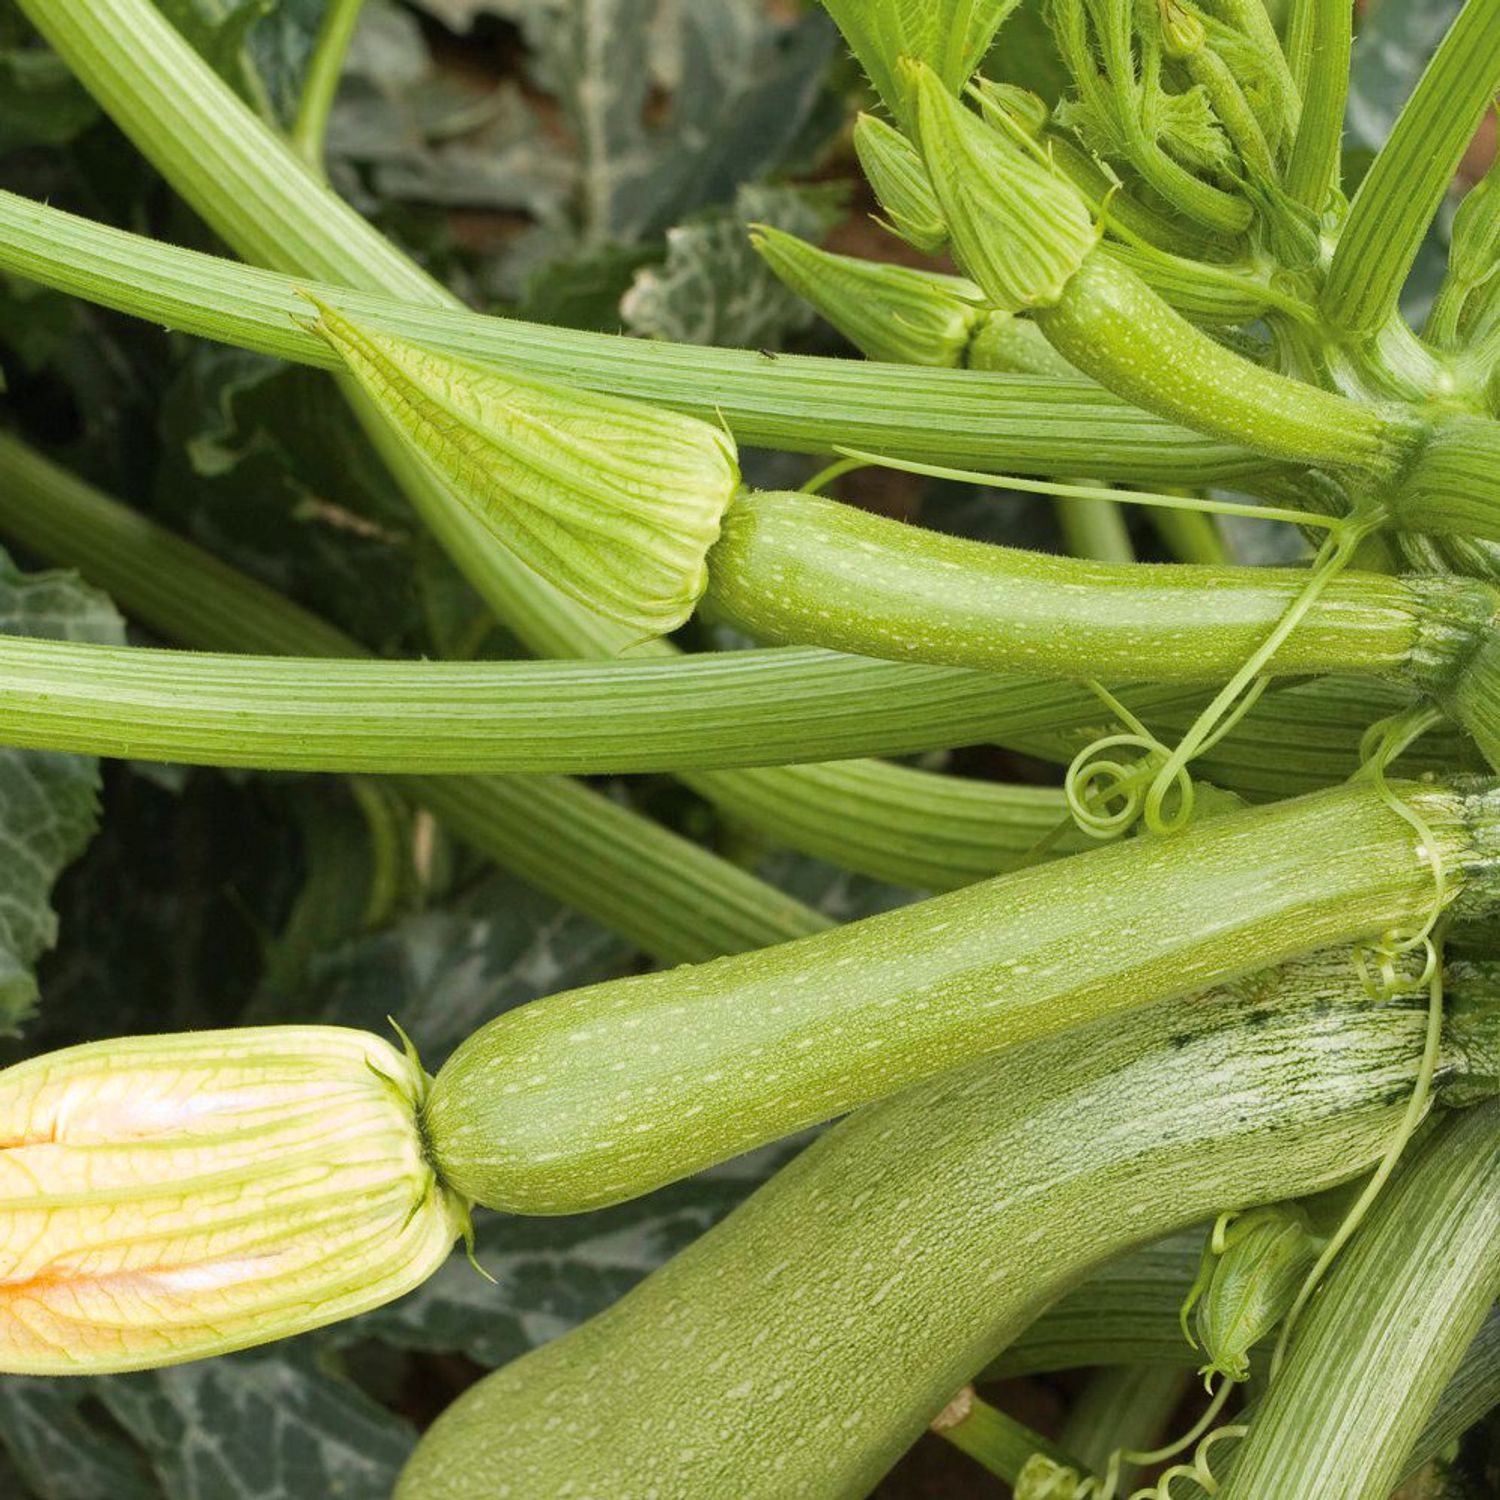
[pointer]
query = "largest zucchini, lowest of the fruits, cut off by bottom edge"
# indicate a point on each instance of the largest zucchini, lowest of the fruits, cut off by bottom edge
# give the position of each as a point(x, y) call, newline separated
point(803, 1345)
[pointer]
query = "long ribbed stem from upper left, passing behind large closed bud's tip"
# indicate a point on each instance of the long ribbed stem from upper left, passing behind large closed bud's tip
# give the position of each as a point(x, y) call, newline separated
point(1022, 424)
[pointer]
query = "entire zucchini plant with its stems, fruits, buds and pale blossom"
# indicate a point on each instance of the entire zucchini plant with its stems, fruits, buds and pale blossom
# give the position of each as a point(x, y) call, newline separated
point(1220, 959)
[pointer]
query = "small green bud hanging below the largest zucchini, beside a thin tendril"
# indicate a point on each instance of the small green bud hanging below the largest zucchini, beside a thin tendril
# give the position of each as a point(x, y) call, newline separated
point(1253, 1270)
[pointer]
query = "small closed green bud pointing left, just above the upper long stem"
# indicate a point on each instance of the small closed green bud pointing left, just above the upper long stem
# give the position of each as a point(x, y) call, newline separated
point(890, 313)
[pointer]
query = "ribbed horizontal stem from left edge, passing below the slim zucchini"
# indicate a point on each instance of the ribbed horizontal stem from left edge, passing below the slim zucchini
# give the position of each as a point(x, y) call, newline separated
point(737, 709)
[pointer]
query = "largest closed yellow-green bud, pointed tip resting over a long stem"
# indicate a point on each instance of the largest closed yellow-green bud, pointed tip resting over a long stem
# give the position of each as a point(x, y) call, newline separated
point(613, 502)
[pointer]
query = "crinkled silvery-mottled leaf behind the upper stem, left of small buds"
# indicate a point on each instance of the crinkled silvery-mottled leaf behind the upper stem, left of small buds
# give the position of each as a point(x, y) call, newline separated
point(715, 289)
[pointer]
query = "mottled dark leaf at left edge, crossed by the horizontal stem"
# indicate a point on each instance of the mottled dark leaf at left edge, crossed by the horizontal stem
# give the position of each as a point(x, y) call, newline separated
point(49, 803)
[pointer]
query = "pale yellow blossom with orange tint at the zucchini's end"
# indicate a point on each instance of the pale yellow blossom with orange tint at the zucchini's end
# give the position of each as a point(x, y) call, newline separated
point(172, 1198)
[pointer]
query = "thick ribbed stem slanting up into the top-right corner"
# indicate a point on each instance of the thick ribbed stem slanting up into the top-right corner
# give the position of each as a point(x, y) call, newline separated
point(1399, 199)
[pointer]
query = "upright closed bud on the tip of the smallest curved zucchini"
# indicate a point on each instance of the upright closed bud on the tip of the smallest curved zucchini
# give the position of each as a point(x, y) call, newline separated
point(1019, 229)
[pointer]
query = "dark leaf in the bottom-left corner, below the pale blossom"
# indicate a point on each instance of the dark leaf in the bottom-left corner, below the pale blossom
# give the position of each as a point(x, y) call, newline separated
point(61, 1453)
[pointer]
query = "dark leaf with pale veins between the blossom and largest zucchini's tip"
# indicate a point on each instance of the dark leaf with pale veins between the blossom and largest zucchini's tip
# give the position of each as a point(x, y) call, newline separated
point(269, 1426)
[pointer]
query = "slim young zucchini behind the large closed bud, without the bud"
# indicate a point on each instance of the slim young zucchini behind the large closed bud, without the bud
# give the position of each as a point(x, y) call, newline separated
point(799, 569)
